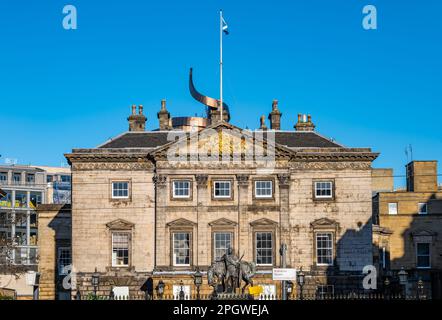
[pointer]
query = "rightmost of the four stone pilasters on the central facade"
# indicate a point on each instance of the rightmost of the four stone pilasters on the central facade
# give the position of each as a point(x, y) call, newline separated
point(284, 218)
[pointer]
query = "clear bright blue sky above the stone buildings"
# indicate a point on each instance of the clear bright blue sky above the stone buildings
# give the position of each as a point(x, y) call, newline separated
point(63, 89)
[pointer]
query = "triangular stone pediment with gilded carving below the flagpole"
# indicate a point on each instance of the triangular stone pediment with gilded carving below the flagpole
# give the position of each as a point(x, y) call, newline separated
point(222, 140)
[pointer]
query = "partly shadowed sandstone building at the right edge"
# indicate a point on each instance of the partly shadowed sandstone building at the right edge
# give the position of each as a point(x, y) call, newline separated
point(408, 226)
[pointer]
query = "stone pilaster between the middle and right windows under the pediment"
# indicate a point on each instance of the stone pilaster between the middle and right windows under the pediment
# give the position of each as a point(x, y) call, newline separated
point(243, 221)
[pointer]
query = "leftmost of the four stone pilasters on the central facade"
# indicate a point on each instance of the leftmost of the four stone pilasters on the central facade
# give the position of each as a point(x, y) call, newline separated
point(161, 193)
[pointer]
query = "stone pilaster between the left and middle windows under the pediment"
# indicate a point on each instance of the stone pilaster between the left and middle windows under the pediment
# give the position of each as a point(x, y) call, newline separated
point(203, 236)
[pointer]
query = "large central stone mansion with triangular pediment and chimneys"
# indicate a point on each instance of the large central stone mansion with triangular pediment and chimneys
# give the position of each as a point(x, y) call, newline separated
point(150, 204)
